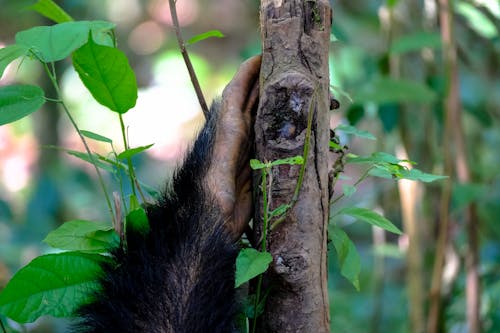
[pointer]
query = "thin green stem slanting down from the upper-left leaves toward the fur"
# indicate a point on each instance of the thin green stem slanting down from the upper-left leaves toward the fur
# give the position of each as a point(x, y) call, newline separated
point(53, 79)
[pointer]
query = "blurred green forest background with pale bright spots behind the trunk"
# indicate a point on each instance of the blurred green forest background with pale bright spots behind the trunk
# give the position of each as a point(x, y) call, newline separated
point(386, 70)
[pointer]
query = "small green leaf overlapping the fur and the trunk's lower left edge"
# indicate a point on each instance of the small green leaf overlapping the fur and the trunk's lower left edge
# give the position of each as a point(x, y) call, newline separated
point(251, 263)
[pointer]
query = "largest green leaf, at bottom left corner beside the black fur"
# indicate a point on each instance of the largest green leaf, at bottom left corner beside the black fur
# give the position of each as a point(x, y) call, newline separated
point(53, 284)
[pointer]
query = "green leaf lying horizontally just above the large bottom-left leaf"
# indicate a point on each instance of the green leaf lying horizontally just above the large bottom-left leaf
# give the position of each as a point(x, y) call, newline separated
point(79, 235)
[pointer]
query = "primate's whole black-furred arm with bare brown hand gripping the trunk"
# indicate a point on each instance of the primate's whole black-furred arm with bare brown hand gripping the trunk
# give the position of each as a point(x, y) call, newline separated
point(180, 276)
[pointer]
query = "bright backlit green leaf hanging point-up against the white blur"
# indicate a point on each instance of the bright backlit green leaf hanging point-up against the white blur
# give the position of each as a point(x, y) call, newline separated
point(106, 73)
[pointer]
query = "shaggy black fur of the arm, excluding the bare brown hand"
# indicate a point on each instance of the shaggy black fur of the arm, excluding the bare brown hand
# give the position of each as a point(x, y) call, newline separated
point(180, 277)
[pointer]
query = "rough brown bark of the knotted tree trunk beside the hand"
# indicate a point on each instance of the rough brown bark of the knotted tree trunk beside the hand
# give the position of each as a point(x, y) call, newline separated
point(294, 73)
